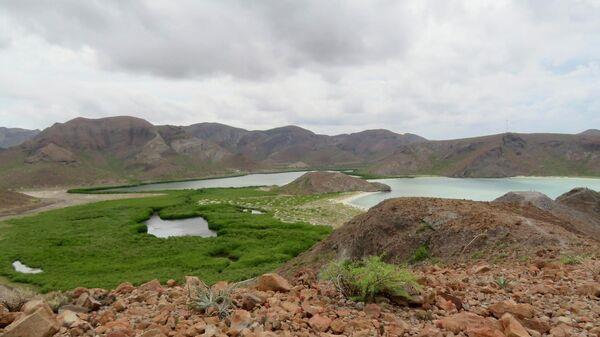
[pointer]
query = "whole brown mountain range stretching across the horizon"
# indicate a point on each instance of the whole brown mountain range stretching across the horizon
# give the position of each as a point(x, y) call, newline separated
point(127, 149)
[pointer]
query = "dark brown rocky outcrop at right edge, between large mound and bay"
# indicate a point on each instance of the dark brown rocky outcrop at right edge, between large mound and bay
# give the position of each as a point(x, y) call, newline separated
point(578, 210)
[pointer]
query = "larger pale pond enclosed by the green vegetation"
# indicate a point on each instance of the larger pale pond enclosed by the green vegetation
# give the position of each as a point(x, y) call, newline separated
point(179, 227)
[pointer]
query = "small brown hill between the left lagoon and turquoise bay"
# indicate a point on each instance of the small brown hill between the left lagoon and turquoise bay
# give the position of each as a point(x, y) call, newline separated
point(330, 182)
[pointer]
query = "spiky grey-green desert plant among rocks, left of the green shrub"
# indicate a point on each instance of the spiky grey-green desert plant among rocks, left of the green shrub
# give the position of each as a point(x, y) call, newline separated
point(211, 301)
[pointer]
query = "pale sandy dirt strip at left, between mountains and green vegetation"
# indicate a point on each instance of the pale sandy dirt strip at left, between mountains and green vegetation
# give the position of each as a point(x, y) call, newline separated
point(55, 199)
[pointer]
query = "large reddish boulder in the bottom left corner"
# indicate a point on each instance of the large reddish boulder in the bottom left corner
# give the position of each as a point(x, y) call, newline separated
point(40, 323)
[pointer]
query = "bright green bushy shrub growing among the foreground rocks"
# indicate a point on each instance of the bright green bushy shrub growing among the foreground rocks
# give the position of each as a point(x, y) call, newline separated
point(363, 280)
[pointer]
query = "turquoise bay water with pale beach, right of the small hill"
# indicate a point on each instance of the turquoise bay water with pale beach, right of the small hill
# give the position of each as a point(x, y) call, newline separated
point(473, 188)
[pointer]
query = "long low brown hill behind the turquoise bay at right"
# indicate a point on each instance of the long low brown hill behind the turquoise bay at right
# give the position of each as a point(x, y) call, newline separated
point(497, 156)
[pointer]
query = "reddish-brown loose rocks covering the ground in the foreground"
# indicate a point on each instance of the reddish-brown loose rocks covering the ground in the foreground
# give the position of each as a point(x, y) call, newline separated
point(540, 297)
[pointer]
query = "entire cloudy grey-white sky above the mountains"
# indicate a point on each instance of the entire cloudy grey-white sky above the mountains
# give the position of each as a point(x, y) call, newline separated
point(441, 69)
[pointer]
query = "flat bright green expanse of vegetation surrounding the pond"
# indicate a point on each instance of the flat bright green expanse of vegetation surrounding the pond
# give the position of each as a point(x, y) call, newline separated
point(100, 244)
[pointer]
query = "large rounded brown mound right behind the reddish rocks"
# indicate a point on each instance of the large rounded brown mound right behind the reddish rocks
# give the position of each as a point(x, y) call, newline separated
point(406, 229)
